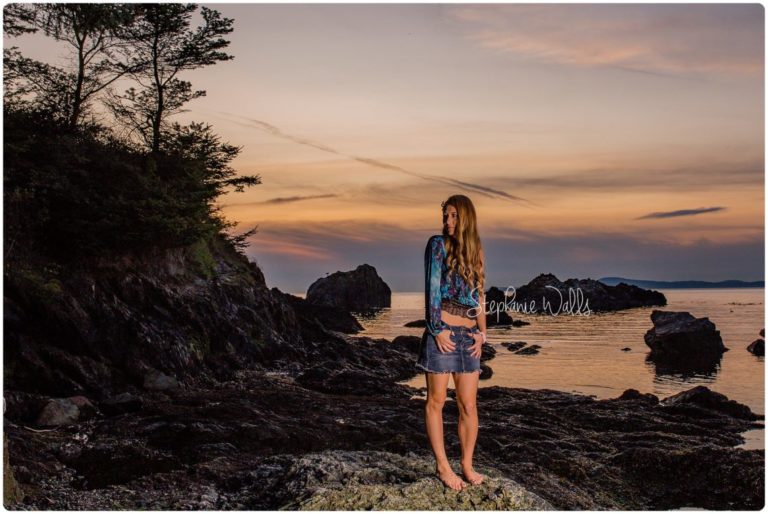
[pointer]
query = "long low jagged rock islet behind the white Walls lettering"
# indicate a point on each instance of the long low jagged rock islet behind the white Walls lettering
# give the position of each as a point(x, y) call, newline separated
point(547, 294)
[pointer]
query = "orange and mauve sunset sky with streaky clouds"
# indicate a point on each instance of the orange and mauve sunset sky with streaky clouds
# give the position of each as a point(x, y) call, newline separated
point(595, 140)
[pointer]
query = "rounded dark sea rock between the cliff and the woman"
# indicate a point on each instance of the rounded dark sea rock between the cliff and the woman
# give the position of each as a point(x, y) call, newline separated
point(358, 290)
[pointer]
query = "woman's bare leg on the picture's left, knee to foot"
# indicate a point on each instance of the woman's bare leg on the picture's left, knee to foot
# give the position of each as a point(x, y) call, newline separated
point(437, 386)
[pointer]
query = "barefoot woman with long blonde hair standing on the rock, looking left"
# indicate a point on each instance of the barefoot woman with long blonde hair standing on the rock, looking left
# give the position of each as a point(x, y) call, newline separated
point(452, 341)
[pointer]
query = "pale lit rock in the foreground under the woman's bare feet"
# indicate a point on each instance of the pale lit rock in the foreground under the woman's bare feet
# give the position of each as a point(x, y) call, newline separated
point(373, 480)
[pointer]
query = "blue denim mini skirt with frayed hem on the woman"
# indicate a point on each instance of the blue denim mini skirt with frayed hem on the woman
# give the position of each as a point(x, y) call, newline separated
point(460, 360)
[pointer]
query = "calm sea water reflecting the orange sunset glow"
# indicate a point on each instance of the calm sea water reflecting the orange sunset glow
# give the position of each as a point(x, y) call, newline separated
point(583, 354)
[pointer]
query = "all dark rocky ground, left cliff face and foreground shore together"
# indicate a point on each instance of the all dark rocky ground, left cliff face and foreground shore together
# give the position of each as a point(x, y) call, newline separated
point(273, 410)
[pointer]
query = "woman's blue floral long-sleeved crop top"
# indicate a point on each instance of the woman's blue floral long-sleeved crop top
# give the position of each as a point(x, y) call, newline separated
point(440, 284)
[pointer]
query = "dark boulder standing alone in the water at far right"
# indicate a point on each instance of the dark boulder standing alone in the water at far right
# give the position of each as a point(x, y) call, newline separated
point(680, 337)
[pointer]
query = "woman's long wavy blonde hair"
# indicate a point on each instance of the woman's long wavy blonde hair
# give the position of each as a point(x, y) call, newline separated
point(464, 247)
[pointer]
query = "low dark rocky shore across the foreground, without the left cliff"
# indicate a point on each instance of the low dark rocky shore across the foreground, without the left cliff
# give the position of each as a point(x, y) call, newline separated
point(262, 441)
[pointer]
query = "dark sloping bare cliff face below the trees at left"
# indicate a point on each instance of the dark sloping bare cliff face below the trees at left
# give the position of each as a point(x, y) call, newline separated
point(195, 313)
